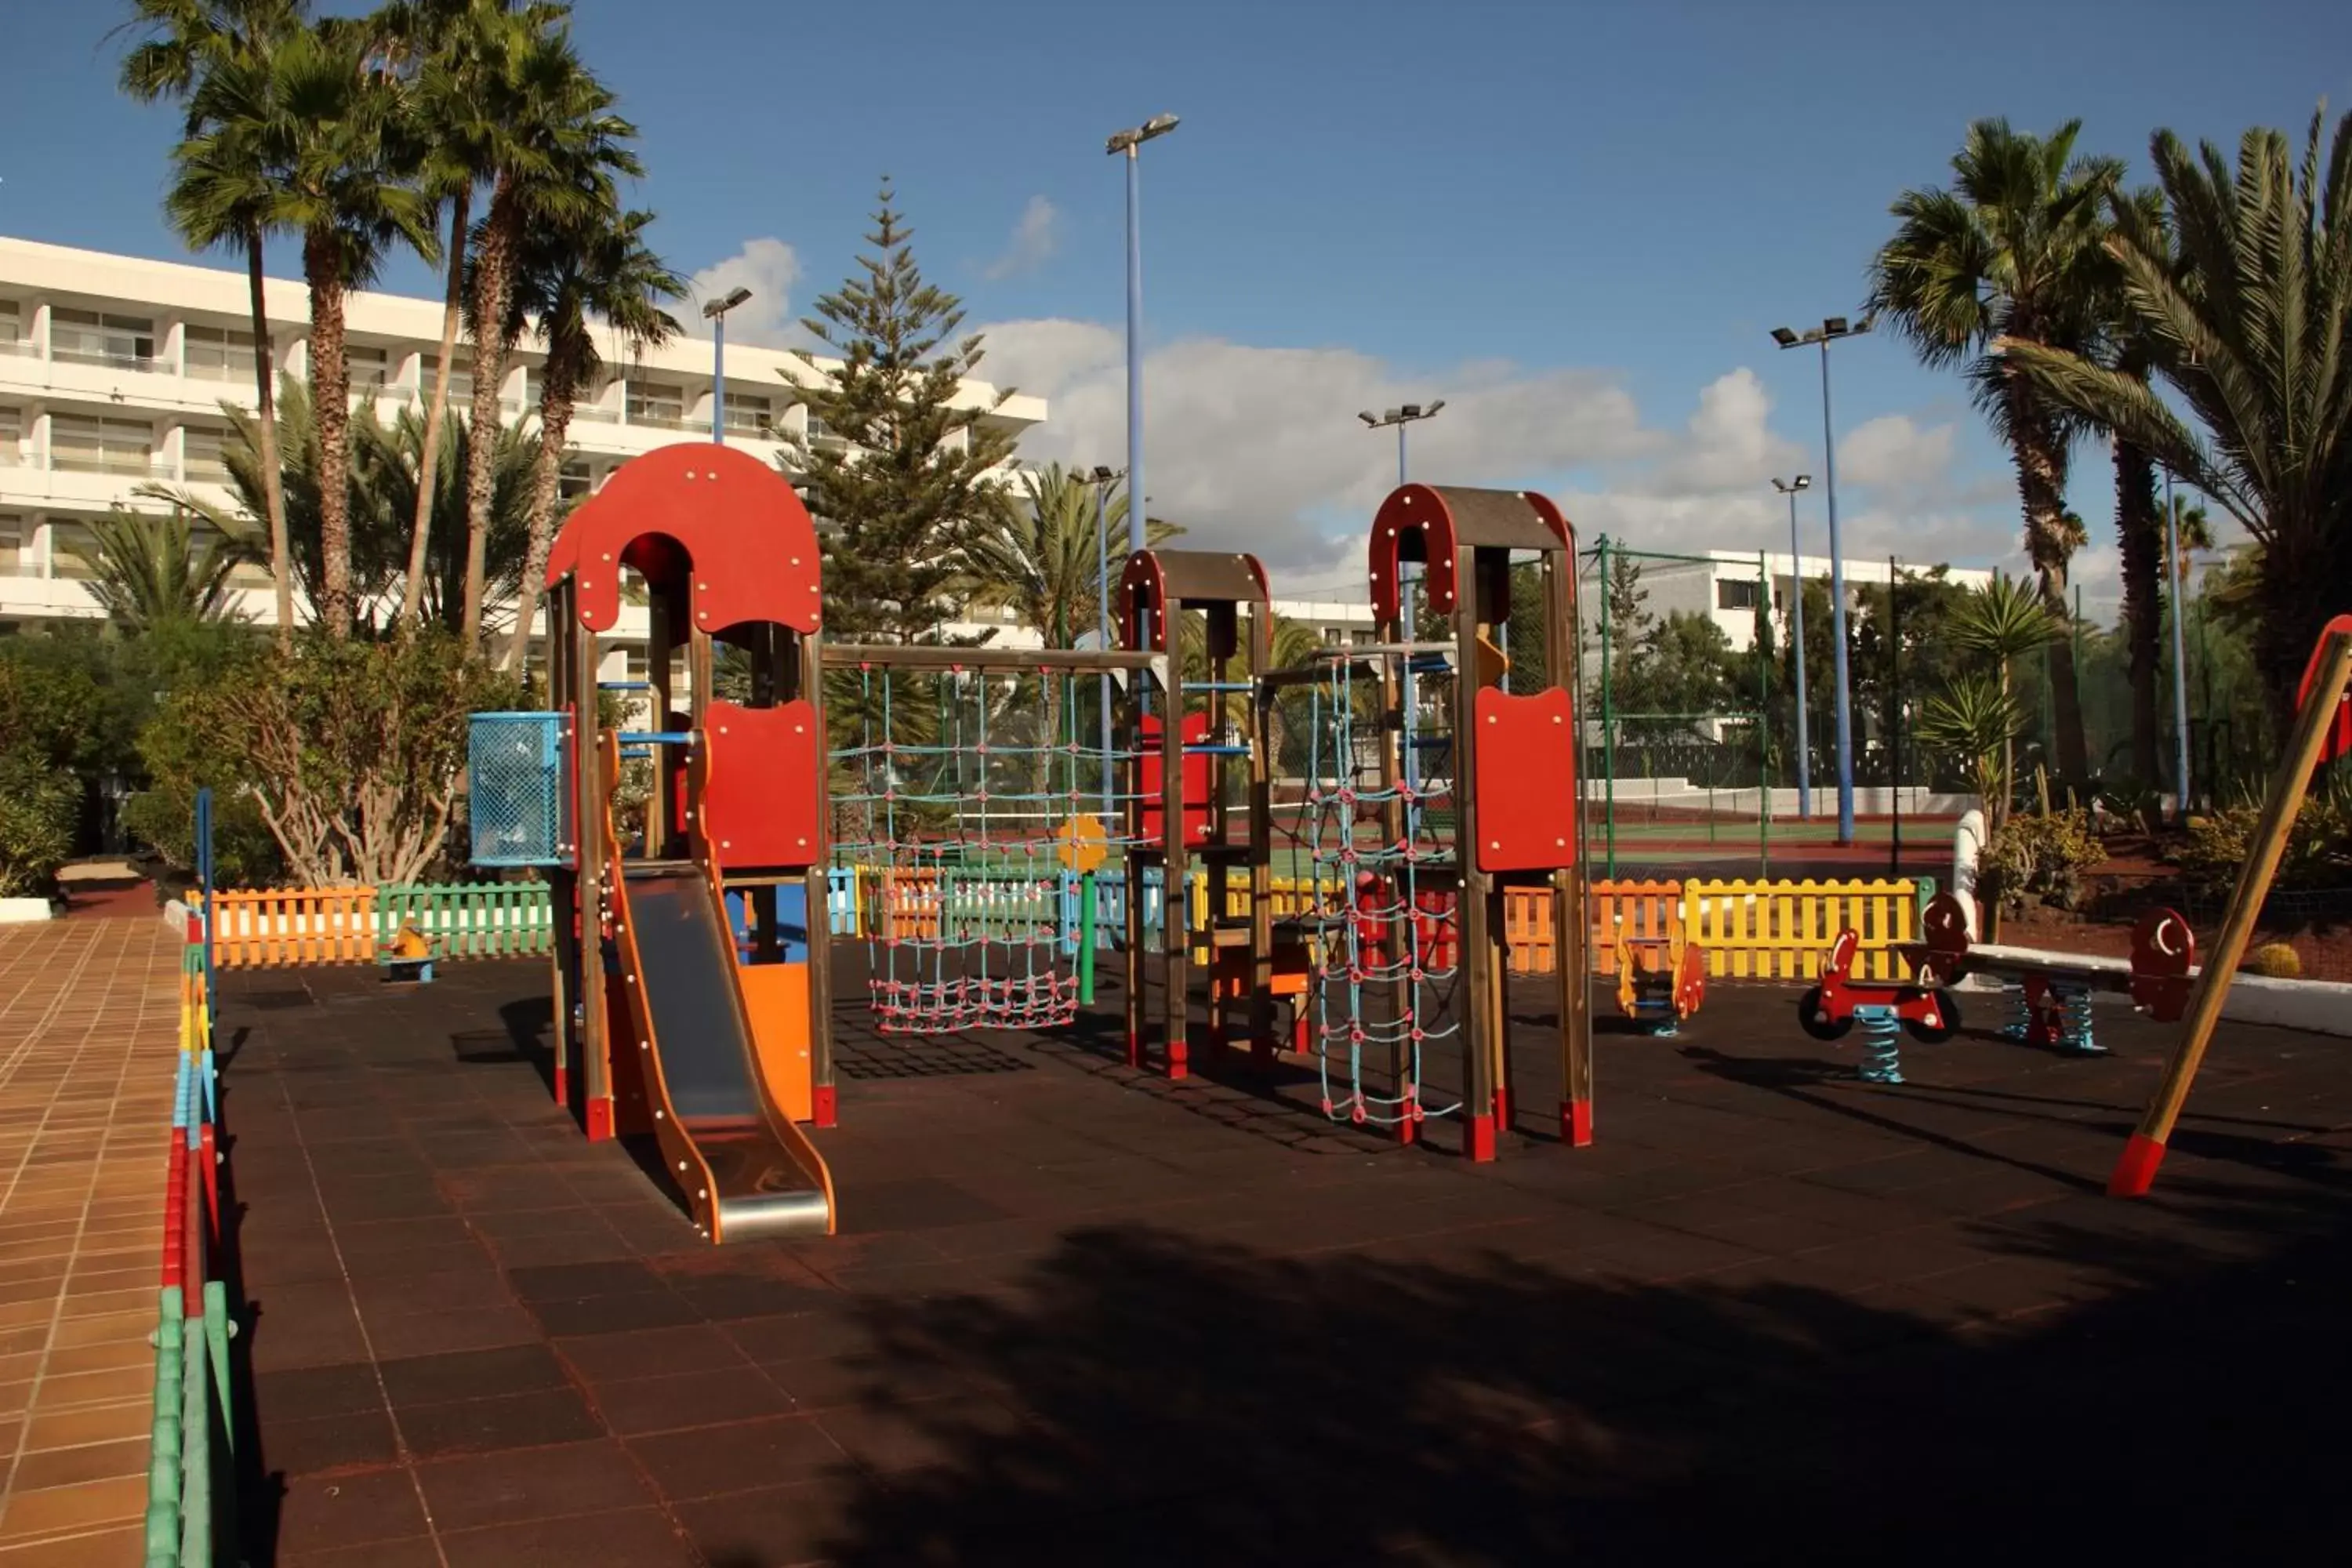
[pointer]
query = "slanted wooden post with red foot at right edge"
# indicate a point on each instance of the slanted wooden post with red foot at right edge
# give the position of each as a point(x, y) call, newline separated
point(2144, 1153)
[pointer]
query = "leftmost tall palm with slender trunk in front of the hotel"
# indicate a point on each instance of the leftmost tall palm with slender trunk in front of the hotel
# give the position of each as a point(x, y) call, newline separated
point(220, 192)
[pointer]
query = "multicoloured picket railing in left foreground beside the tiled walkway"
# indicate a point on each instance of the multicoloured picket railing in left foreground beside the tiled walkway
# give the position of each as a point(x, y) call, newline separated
point(192, 1463)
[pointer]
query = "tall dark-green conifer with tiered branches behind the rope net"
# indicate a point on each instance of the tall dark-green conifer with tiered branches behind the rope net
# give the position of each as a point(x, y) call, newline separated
point(897, 495)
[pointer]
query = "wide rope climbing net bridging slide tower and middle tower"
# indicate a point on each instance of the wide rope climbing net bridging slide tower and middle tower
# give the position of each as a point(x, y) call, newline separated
point(956, 812)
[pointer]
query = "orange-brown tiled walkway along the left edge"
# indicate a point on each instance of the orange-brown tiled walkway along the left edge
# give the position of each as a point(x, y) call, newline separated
point(88, 1028)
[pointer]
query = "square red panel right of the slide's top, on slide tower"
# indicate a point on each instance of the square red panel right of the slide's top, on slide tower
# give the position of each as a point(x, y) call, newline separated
point(766, 784)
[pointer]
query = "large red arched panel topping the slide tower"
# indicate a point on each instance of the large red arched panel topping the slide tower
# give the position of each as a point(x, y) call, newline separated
point(719, 516)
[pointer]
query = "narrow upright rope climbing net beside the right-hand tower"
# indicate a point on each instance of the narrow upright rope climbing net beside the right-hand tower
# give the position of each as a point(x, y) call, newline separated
point(1379, 838)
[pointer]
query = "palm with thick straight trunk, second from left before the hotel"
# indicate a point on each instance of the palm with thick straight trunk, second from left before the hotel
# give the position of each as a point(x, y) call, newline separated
point(319, 121)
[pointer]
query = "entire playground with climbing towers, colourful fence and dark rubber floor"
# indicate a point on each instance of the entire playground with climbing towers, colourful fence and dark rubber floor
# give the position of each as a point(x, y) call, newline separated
point(897, 1148)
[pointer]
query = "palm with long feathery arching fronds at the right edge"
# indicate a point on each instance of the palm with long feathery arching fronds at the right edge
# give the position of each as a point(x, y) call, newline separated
point(2252, 333)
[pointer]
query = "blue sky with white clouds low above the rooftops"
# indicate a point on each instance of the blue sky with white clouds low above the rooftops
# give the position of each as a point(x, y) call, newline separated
point(1572, 222)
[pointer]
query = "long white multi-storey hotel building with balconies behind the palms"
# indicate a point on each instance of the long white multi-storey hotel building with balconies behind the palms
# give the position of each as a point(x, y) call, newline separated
point(114, 375)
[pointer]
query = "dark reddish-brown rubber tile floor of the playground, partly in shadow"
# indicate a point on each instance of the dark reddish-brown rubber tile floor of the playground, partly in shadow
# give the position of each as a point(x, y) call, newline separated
point(1083, 1313)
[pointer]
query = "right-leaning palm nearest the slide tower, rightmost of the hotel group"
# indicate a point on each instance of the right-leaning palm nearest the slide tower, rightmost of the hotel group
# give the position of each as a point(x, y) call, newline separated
point(570, 279)
